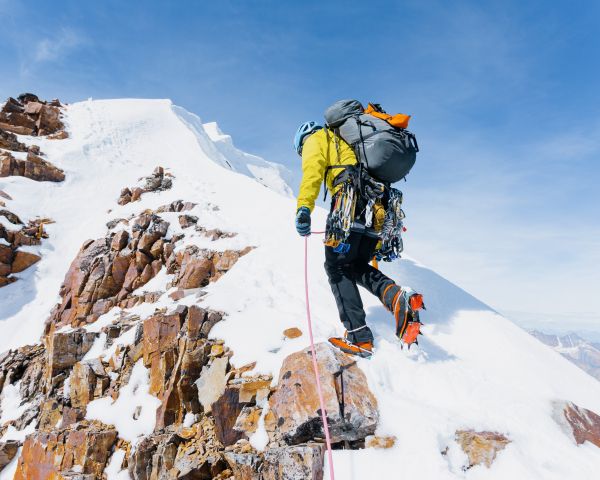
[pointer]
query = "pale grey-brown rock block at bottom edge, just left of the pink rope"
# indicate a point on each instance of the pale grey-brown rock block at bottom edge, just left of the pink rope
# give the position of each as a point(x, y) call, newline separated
point(300, 462)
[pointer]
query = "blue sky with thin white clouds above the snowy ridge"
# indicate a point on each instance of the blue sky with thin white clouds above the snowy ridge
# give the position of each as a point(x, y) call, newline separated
point(504, 96)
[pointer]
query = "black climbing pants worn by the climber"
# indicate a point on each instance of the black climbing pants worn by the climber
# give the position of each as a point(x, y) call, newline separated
point(345, 272)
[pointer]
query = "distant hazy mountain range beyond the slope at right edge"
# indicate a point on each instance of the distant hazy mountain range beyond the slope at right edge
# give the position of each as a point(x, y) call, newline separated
point(583, 353)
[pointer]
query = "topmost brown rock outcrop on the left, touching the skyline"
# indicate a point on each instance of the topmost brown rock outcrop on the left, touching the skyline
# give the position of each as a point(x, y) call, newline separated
point(28, 115)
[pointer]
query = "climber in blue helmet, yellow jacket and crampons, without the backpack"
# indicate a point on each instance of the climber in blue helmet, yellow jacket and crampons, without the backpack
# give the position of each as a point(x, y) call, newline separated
point(325, 157)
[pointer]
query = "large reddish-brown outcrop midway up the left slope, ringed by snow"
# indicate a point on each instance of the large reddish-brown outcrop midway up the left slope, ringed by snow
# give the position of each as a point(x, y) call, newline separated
point(107, 271)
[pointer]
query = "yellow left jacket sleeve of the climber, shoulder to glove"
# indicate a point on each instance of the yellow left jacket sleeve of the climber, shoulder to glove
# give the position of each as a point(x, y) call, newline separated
point(313, 170)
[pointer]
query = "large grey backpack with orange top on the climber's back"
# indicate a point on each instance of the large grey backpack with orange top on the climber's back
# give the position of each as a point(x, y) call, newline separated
point(380, 141)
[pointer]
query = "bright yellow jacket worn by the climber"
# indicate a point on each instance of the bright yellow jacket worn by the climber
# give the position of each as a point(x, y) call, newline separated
point(320, 151)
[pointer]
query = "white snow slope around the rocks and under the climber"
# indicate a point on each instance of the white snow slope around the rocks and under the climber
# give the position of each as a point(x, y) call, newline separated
point(474, 369)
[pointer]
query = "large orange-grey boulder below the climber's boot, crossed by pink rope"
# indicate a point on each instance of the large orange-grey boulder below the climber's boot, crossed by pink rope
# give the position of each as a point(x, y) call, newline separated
point(351, 407)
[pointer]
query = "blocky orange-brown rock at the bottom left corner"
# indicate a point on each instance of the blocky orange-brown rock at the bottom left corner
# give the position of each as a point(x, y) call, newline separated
point(83, 448)
